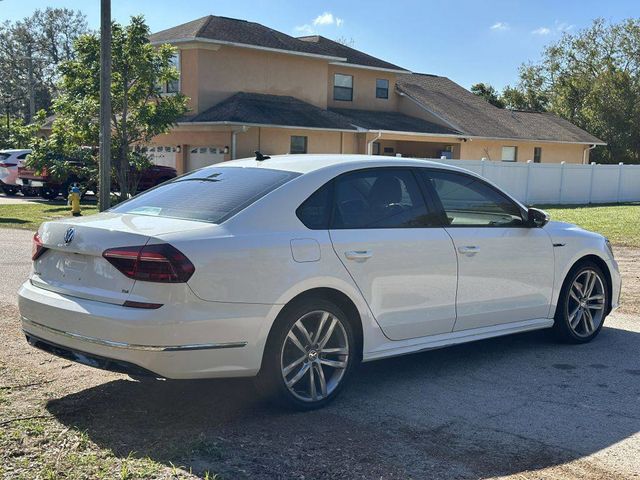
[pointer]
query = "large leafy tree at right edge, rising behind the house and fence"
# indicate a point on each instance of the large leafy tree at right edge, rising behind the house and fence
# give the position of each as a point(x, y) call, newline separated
point(592, 78)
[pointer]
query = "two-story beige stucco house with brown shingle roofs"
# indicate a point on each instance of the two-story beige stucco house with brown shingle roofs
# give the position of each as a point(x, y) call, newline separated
point(254, 88)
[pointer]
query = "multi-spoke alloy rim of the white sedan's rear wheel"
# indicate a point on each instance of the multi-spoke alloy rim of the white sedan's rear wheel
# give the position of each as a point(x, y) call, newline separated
point(314, 356)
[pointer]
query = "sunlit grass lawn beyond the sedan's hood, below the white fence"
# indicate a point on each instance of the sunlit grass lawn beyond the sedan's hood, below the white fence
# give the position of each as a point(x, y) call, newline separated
point(620, 223)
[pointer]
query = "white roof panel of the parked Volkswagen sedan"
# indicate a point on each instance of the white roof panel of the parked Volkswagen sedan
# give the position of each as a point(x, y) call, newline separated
point(307, 163)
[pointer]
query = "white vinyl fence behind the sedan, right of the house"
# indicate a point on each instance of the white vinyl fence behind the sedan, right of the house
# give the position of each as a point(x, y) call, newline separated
point(550, 183)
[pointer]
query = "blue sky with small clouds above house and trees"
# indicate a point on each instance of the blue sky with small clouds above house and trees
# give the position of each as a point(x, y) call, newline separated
point(468, 41)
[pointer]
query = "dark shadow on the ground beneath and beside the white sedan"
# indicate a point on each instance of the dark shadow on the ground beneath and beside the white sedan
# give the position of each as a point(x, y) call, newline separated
point(485, 409)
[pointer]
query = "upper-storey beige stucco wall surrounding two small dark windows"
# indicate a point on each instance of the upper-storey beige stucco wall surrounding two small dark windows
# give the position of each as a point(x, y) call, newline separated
point(364, 89)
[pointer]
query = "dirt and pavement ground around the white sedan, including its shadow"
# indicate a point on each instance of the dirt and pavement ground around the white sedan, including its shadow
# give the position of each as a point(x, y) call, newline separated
point(519, 407)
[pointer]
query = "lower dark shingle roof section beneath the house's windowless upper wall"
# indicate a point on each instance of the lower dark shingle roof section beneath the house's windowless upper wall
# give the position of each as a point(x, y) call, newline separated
point(261, 109)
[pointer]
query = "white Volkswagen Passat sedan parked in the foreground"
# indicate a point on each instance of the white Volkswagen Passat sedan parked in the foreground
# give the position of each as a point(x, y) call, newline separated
point(295, 268)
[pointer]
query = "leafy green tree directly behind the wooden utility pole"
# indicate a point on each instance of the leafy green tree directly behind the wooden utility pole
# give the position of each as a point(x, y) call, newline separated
point(140, 110)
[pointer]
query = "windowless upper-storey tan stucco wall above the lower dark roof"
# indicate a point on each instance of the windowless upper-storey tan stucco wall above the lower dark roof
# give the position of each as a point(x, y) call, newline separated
point(211, 74)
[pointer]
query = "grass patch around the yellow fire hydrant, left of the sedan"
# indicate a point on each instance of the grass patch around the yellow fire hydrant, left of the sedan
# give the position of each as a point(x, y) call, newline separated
point(30, 215)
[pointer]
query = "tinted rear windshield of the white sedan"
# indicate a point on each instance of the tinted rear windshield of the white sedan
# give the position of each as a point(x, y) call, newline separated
point(211, 194)
